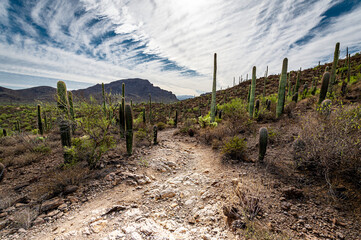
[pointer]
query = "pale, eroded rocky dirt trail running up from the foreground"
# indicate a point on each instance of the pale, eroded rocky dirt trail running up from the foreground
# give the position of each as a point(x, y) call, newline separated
point(176, 192)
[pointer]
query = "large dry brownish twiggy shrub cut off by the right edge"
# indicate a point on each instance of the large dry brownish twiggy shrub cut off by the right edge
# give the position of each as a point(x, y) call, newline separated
point(333, 144)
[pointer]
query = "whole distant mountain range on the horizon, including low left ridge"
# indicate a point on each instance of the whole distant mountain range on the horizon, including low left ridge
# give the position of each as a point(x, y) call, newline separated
point(136, 89)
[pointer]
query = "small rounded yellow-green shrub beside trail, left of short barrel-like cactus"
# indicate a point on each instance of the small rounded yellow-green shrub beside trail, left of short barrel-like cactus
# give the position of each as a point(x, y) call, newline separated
point(235, 148)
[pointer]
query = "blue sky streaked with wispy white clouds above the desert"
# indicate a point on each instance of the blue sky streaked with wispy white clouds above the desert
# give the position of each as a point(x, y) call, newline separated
point(169, 42)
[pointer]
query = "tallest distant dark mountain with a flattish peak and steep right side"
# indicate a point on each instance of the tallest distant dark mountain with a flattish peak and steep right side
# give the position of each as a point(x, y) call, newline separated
point(136, 89)
